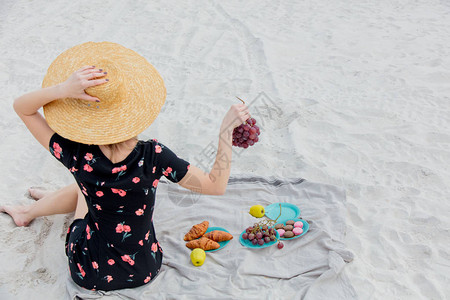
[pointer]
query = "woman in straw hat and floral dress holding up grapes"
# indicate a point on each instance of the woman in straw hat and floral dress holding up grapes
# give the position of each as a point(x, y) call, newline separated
point(97, 113)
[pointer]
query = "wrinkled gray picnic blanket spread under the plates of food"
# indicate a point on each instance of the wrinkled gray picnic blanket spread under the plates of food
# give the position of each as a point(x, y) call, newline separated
point(309, 267)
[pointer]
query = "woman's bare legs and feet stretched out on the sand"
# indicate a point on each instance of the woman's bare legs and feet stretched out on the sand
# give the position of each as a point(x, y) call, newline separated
point(60, 202)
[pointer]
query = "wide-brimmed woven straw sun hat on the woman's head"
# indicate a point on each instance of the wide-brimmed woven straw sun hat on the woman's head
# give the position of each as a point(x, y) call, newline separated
point(129, 102)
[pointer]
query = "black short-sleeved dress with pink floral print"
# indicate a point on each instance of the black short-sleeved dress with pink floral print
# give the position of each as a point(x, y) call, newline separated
point(115, 246)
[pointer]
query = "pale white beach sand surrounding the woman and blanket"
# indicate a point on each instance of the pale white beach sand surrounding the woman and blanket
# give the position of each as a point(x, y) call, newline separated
point(362, 91)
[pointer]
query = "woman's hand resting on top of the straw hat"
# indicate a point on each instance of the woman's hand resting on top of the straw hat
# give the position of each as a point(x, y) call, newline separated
point(75, 85)
